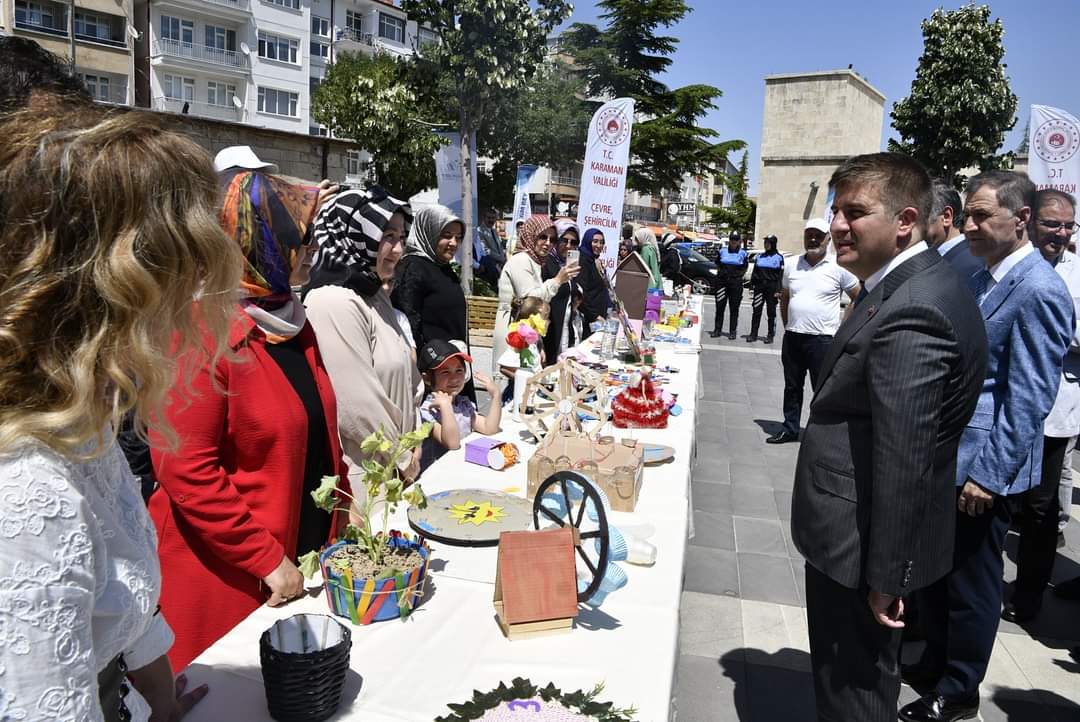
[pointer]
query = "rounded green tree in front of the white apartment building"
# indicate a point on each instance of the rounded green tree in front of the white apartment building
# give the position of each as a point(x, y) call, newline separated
point(370, 101)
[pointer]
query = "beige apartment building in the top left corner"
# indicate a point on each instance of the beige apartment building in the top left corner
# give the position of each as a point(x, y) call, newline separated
point(100, 35)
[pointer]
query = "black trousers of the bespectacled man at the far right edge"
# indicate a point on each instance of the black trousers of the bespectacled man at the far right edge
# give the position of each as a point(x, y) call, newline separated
point(1038, 533)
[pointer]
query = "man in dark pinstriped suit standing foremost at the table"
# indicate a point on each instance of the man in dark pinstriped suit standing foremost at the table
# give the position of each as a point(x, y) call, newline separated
point(873, 511)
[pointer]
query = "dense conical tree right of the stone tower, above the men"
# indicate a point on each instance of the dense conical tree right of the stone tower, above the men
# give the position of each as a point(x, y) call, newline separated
point(961, 106)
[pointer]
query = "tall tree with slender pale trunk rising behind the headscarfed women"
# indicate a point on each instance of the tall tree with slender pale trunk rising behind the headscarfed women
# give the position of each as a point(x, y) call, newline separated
point(485, 49)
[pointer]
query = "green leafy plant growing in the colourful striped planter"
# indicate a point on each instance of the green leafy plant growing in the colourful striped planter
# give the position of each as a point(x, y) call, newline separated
point(383, 484)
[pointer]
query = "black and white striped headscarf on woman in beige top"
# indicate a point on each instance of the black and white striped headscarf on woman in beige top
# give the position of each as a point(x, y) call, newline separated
point(348, 231)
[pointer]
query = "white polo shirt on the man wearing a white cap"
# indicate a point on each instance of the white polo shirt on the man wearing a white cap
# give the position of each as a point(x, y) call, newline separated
point(815, 304)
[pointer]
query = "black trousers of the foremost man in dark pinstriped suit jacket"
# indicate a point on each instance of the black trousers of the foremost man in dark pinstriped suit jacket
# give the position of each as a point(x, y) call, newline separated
point(856, 661)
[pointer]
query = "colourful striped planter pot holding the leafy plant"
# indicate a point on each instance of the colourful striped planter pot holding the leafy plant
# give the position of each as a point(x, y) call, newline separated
point(364, 602)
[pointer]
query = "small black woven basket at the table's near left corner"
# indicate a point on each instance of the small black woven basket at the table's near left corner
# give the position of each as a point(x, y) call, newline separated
point(305, 687)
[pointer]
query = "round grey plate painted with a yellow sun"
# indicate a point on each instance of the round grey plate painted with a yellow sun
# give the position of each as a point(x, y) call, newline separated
point(470, 517)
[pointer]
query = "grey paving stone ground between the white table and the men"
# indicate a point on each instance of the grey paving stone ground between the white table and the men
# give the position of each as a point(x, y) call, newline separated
point(744, 646)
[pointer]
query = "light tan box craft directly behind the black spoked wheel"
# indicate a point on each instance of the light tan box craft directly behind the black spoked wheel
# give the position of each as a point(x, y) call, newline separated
point(616, 467)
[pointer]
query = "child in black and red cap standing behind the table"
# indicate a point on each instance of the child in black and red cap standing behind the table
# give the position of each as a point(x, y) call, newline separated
point(452, 414)
